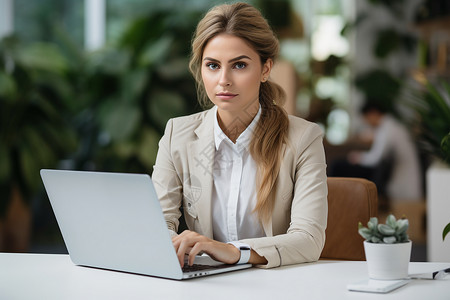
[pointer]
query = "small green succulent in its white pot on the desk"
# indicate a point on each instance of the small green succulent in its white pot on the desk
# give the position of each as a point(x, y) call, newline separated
point(387, 248)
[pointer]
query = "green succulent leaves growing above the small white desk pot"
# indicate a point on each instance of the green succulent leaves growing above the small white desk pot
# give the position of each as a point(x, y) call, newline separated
point(394, 231)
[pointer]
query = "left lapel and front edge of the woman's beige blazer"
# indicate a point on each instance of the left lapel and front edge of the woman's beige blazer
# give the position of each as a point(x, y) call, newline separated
point(201, 158)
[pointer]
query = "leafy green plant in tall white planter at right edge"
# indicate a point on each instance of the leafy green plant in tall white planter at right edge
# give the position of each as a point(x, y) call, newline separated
point(432, 106)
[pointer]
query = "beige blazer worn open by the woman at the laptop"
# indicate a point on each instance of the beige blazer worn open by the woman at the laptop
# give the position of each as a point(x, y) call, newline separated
point(183, 176)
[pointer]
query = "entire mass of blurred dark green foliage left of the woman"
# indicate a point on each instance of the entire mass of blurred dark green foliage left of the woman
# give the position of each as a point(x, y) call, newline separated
point(104, 110)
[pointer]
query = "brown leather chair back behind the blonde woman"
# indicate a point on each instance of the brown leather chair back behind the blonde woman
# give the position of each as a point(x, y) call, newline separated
point(350, 200)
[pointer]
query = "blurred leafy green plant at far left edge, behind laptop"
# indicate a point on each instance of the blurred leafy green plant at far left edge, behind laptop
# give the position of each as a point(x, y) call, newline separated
point(34, 109)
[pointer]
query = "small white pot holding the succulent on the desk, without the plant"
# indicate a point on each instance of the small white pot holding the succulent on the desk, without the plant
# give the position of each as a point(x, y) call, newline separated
point(388, 261)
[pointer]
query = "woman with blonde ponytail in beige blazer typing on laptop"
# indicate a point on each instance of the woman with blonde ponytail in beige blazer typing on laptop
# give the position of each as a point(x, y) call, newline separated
point(251, 179)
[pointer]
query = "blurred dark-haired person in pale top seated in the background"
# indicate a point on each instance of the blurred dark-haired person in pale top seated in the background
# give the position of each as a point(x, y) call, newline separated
point(392, 161)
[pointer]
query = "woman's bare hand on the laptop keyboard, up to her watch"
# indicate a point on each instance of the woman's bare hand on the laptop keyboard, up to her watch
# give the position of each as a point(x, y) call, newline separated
point(191, 243)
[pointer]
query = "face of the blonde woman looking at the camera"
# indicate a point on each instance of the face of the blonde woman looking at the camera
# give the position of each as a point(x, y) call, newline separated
point(232, 74)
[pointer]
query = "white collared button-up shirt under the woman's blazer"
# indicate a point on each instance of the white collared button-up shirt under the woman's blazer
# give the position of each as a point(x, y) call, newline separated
point(234, 191)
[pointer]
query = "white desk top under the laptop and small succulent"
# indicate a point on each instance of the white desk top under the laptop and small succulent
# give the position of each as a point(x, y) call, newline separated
point(43, 276)
